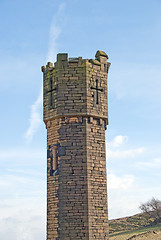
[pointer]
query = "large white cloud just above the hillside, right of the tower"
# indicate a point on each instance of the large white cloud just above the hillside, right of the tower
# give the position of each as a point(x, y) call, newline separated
point(125, 202)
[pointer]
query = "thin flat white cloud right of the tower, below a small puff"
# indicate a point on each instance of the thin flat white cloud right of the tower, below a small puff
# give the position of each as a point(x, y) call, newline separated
point(131, 153)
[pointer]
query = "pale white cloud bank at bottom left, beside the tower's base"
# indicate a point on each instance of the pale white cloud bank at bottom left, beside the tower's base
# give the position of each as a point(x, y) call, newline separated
point(23, 223)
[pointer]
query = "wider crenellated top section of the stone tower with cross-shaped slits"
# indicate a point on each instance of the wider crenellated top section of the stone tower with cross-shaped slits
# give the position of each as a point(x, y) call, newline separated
point(76, 86)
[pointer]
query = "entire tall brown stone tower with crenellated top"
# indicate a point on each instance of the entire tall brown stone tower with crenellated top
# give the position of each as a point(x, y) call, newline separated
point(76, 116)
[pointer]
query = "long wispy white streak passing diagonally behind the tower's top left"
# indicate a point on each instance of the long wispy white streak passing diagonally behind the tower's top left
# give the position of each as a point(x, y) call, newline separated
point(36, 107)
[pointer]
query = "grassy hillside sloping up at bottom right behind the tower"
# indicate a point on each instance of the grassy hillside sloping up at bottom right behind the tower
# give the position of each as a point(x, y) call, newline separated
point(134, 227)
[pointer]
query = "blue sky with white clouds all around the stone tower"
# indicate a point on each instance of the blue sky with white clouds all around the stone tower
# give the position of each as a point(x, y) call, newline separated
point(32, 33)
